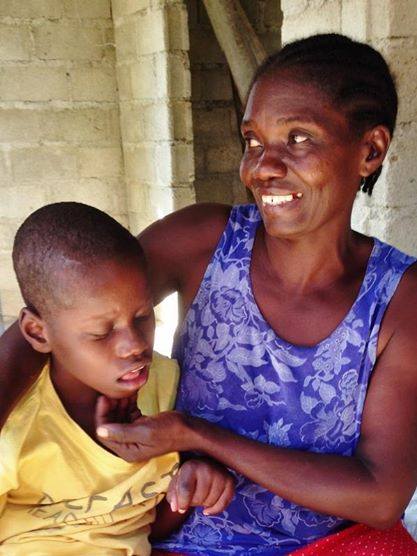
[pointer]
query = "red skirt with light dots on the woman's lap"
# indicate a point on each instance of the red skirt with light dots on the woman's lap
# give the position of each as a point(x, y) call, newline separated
point(363, 540)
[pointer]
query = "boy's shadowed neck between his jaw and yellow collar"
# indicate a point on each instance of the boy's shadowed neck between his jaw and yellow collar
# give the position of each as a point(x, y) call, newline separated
point(78, 399)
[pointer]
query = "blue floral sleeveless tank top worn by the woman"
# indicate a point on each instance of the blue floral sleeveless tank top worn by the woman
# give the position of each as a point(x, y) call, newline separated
point(237, 373)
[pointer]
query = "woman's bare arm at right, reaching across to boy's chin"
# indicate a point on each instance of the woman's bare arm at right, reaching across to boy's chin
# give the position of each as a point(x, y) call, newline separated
point(372, 487)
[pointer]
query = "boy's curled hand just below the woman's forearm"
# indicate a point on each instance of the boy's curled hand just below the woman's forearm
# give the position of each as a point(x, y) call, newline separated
point(201, 482)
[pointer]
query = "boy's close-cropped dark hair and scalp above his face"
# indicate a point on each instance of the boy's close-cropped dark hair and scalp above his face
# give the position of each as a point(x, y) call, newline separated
point(60, 241)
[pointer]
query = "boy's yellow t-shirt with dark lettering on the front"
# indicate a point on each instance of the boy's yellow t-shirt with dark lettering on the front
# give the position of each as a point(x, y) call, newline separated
point(61, 493)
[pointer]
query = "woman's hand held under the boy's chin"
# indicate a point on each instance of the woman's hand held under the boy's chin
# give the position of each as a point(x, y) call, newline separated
point(137, 438)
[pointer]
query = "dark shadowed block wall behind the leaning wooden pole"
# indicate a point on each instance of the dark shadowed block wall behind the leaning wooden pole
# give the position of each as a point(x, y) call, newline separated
point(217, 146)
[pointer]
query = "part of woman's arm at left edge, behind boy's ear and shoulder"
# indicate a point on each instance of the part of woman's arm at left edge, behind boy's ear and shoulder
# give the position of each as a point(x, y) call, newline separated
point(19, 367)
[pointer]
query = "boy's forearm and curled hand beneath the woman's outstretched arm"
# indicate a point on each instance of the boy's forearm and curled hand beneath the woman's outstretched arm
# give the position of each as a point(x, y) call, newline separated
point(199, 482)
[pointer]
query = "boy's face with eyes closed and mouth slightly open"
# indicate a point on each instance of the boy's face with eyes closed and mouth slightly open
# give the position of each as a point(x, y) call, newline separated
point(104, 340)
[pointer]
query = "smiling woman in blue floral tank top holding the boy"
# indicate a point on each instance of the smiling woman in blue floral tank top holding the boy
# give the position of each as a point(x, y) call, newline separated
point(298, 337)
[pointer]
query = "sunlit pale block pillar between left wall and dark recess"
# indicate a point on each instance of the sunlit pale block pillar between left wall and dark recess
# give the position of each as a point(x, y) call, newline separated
point(154, 89)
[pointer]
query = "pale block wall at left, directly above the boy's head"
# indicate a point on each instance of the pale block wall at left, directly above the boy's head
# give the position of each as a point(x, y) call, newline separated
point(59, 119)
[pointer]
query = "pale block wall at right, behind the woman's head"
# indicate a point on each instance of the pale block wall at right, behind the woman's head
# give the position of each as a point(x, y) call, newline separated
point(391, 27)
